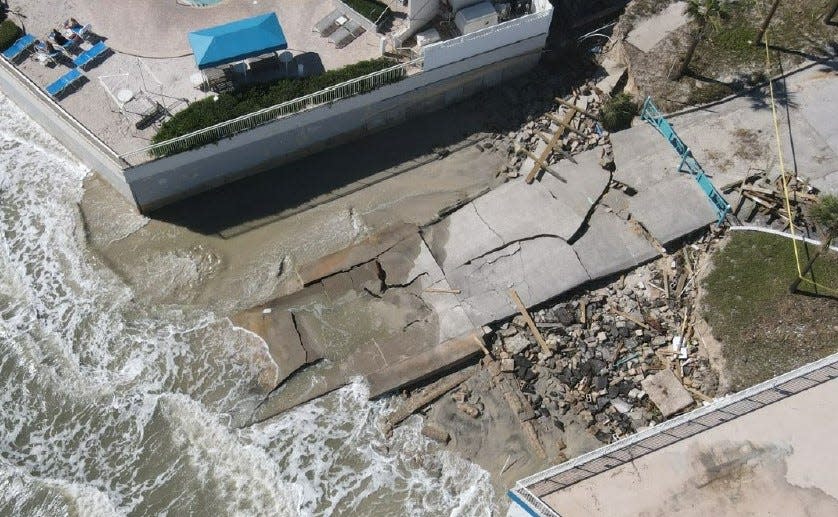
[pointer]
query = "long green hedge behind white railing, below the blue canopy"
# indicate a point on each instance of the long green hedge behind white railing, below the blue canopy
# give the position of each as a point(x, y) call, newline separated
point(208, 112)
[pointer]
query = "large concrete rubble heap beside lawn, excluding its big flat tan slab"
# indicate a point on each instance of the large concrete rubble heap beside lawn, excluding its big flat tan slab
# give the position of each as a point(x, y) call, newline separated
point(604, 344)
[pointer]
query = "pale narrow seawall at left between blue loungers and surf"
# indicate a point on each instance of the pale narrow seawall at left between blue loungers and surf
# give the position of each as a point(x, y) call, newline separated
point(61, 125)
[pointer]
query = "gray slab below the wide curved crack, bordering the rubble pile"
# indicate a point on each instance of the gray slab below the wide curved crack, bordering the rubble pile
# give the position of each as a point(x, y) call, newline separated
point(609, 246)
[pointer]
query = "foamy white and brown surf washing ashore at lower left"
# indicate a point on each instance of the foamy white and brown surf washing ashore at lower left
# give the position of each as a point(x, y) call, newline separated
point(113, 407)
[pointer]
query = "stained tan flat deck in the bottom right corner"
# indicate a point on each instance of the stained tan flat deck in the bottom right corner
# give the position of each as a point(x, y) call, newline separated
point(777, 460)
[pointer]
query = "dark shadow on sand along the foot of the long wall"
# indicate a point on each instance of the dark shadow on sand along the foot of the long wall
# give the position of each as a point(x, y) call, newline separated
point(325, 176)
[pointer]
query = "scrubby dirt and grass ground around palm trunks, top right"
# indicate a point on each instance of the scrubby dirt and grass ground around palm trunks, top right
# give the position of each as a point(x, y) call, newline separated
point(727, 59)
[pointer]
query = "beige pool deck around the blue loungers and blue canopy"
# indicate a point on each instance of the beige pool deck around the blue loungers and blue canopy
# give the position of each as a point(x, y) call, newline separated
point(152, 58)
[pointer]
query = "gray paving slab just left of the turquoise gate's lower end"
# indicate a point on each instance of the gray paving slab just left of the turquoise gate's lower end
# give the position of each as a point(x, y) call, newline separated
point(672, 208)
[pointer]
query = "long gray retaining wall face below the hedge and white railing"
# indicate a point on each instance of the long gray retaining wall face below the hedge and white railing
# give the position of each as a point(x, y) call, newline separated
point(163, 181)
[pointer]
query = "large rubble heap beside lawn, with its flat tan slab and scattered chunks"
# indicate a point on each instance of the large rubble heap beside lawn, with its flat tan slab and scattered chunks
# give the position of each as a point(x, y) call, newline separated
point(619, 358)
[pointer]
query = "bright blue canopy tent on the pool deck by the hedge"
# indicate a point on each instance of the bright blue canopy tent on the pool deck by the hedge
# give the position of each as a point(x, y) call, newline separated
point(236, 41)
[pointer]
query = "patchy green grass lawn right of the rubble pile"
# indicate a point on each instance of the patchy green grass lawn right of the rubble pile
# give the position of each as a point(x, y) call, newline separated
point(766, 331)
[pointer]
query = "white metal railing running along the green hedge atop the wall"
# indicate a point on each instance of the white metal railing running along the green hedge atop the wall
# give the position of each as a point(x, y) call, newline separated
point(226, 129)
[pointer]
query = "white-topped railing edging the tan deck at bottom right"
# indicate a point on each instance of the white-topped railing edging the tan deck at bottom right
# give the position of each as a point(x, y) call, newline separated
point(531, 490)
